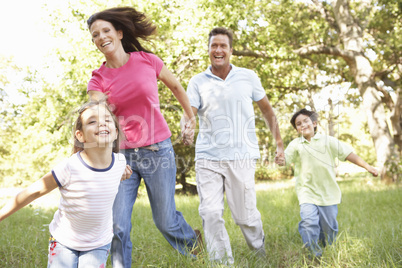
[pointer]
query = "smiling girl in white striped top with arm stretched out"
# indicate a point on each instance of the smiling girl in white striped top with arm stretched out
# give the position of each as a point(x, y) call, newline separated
point(81, 229)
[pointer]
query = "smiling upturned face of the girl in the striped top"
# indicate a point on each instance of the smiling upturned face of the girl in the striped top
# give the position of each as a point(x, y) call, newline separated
point(98, 128)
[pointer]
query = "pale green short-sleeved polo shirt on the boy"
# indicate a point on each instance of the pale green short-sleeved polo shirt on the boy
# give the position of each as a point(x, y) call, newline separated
point(315, 168)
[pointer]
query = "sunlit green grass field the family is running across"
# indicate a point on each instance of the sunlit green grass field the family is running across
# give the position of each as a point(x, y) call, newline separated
point(370, 231)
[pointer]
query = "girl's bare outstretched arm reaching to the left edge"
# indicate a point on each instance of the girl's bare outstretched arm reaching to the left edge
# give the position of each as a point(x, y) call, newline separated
point(41, 187)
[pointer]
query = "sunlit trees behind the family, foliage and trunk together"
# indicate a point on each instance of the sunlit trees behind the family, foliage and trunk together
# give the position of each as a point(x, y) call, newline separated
point(296, 48)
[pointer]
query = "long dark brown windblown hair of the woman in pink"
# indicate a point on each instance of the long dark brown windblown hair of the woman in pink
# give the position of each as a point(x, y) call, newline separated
point(134, 25)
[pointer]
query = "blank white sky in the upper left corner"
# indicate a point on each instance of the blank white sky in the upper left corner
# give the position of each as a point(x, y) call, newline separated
point(25, 39)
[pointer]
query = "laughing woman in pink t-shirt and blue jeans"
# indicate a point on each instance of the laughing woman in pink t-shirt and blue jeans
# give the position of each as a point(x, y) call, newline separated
point(129, 79)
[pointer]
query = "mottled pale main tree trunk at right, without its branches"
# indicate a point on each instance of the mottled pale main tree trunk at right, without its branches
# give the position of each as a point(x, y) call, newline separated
point(351, 35)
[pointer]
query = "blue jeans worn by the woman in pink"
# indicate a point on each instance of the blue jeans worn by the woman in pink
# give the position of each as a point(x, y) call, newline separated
point(157, 166)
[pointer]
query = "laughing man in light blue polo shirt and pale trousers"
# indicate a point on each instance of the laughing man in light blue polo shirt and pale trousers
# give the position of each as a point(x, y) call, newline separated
point(227, 146)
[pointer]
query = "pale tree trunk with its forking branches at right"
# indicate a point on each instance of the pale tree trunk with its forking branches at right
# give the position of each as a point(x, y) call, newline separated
point(351, 34)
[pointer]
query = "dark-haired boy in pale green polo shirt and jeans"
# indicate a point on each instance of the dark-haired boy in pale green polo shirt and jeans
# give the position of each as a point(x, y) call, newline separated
point(313, 156)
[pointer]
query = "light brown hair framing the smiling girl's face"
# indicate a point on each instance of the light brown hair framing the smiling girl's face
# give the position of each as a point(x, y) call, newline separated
point(79, 146)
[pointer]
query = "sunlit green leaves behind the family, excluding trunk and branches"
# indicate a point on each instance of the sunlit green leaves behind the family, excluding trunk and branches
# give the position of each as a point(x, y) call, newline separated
point(37, 134)
